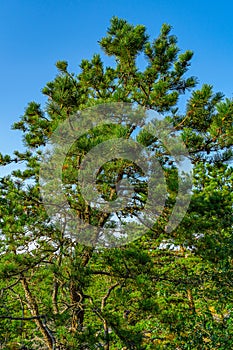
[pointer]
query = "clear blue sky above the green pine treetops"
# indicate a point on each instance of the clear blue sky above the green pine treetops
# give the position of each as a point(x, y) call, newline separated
point(36, 34)
